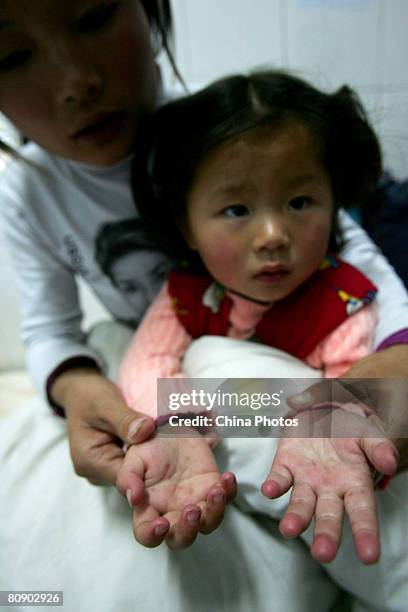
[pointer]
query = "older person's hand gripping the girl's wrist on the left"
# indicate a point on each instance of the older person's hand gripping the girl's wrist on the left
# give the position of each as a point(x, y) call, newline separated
point(99, 422)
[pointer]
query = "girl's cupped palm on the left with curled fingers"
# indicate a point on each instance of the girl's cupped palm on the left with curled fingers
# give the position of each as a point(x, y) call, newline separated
point(176, 489)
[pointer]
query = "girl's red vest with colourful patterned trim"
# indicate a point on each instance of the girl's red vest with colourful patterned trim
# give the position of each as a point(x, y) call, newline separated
point(295, 324)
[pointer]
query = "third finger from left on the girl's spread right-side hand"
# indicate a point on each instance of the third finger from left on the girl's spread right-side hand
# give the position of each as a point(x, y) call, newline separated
point(329, 514)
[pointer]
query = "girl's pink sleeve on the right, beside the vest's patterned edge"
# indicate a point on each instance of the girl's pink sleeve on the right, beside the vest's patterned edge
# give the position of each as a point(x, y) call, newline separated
point(350, 342)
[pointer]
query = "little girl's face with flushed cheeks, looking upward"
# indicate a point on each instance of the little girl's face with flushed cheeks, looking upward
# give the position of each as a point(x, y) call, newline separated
point(260, 210)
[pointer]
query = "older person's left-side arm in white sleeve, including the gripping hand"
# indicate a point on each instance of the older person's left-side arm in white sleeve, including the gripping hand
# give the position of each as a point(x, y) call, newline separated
point(51, 326)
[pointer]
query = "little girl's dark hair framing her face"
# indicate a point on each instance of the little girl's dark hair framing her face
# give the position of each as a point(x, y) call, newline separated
point(183, 132)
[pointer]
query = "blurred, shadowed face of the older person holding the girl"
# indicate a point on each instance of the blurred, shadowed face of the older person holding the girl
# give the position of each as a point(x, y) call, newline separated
point(76, 75)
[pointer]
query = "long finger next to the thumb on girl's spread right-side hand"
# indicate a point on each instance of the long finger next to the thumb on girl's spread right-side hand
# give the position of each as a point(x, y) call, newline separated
point(362, 513)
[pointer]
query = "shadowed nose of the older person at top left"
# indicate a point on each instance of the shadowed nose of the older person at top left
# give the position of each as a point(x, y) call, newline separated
point(78, 80)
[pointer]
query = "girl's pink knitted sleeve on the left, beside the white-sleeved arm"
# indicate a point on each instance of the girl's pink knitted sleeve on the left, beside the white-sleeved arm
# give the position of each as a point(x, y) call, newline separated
point(156, 350)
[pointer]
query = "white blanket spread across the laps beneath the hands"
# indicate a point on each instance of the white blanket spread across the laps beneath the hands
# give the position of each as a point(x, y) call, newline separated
point(60, 532)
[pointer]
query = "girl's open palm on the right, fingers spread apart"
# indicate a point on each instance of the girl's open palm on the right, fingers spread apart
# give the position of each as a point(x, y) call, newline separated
point(330, 475)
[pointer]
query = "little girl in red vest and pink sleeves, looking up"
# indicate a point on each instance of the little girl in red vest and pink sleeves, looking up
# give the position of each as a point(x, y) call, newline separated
point(249, 206)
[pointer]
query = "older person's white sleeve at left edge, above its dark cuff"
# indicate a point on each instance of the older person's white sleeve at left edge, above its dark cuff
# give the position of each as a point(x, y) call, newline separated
point(51, 315)
